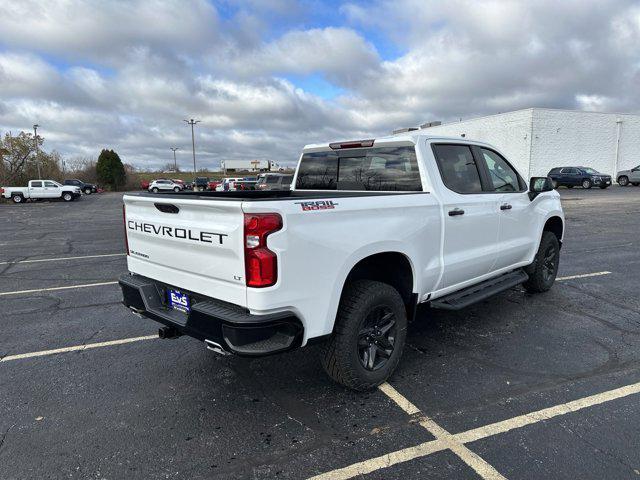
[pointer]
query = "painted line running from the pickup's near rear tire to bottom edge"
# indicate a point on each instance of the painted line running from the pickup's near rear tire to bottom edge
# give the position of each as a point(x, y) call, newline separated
point(481, 467)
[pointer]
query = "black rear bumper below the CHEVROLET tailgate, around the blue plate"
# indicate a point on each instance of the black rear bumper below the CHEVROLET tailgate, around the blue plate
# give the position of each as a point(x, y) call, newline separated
point(231, 327)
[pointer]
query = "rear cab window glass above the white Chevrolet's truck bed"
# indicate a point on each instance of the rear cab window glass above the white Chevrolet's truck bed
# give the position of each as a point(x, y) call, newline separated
point(393, 168)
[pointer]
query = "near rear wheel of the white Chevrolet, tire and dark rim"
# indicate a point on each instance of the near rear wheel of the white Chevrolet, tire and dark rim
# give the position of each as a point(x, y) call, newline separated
point(368, 337)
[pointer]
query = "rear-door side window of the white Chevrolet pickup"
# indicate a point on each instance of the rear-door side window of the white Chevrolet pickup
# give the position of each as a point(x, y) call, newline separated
point(458, 168)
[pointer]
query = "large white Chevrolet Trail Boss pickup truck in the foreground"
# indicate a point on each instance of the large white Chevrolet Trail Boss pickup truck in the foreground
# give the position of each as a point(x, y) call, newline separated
point(369, 230)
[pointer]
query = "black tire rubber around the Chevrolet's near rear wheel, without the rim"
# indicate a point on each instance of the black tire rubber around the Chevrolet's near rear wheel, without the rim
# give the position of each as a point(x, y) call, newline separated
point(340, 353)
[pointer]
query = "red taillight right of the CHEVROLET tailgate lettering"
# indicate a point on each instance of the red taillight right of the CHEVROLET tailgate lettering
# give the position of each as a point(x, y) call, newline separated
point(261, 264)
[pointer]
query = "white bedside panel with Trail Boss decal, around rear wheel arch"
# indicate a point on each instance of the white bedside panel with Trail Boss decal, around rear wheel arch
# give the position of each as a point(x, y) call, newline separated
point(318, 248)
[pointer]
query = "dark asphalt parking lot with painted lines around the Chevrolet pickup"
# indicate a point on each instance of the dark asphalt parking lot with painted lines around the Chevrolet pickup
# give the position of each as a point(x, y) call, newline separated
point(518, 386)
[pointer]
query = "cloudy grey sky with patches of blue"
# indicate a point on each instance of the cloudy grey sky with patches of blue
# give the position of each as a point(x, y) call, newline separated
point(266, 77)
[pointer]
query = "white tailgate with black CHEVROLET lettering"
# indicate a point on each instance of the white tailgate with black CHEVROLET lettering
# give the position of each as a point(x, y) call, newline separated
point(196, 244)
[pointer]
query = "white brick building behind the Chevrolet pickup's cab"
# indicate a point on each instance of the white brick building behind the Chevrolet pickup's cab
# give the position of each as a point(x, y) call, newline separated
point(537, 139)
